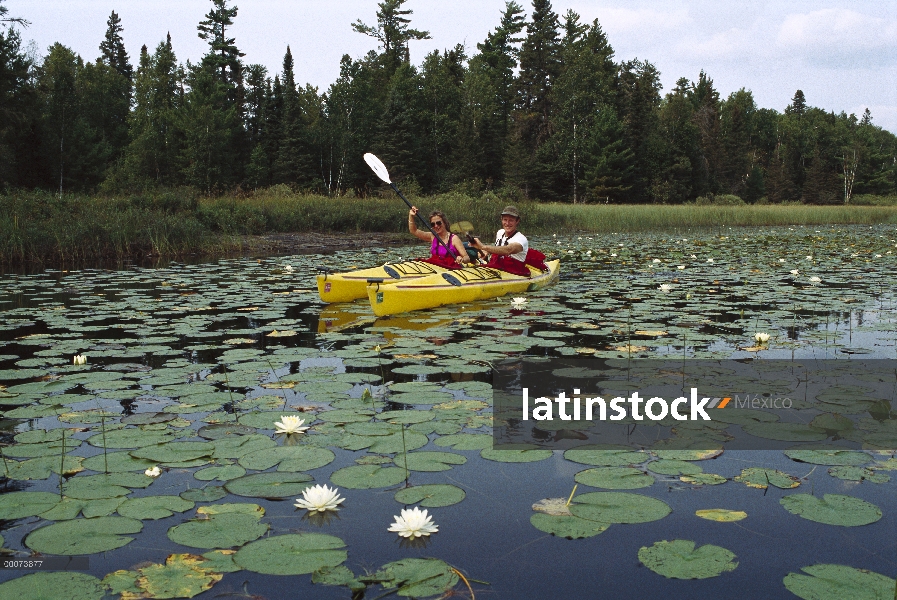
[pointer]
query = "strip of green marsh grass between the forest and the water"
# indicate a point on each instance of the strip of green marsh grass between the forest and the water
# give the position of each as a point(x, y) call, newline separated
point(37, 227)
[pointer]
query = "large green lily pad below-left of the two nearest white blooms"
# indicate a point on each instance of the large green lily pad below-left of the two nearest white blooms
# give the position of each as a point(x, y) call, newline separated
point(292, 554)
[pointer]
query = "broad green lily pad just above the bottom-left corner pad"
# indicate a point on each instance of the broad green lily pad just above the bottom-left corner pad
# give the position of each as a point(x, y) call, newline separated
point(83, 536)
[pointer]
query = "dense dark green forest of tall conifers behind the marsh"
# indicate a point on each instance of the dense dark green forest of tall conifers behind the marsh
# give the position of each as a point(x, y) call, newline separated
point(540, 110)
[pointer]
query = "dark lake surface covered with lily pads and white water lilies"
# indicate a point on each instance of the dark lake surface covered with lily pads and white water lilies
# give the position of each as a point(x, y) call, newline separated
point(160, 424)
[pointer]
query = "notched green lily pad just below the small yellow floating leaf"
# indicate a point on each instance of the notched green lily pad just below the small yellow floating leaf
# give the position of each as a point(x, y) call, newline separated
point(679, 559)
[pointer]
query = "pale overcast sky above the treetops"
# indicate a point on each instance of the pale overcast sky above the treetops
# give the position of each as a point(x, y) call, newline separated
point(843, 55)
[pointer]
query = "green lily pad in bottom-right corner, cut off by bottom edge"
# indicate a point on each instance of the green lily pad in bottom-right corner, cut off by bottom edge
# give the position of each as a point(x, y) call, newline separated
point(836, 582)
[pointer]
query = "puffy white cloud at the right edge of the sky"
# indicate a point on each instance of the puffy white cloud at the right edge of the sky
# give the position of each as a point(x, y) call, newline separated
point(839, 38)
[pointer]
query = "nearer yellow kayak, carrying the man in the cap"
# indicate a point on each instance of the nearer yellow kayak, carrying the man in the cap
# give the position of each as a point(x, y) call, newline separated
point(453, 287)
